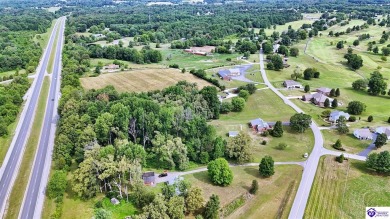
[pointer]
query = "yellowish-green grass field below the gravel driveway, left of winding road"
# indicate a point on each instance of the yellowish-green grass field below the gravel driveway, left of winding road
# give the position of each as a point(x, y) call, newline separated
point(270, 196)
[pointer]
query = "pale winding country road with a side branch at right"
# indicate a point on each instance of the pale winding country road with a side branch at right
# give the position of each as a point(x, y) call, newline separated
point(310, 167)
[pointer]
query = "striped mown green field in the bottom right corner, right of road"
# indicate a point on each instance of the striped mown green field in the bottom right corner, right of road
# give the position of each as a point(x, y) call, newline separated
point(344, 190)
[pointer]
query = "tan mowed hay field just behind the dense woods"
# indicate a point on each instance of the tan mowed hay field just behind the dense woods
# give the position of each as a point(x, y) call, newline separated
point(141, 80)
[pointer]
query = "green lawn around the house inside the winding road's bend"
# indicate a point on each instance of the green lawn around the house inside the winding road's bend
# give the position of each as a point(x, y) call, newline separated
point(266, 105)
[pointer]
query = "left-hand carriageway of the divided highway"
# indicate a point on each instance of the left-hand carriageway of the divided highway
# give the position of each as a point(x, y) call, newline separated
point(10, 167)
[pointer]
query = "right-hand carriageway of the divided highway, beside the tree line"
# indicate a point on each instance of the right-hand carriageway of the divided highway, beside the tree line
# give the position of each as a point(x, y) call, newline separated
point(34, 196)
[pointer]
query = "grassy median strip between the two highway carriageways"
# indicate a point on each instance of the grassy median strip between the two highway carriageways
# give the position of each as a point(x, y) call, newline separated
point(23, 177)
